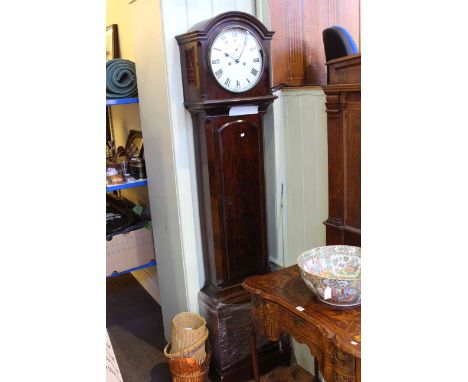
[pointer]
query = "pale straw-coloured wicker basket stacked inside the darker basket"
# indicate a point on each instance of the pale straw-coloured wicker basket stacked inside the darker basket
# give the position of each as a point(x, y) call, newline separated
point(187, 329)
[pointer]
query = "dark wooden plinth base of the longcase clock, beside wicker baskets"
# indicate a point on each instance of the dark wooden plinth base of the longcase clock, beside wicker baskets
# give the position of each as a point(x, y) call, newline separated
point(228, 319)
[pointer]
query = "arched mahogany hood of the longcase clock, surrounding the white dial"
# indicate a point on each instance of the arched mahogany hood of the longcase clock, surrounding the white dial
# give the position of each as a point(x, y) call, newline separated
point(199, 83)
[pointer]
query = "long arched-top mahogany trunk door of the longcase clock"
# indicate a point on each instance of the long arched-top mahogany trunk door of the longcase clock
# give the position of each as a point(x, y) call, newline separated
point(239, 148)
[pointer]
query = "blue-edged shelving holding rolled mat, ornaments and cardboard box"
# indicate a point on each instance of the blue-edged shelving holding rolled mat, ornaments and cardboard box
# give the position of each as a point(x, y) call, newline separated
point(129, 233)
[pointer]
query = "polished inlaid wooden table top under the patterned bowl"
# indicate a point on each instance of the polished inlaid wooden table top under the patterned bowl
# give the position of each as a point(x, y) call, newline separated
point(286, 288)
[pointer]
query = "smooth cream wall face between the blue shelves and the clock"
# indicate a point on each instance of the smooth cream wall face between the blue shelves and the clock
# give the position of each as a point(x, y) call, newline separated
point(163, 187)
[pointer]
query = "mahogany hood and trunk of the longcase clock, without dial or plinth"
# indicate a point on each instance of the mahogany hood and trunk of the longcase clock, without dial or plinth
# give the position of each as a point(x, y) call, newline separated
point(229, 155)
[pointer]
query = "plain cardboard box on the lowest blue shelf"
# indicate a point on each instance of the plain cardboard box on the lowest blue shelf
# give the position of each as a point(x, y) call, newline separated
point(129, 250)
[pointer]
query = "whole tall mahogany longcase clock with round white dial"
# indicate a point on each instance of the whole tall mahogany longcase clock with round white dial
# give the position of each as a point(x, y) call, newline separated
point(225, 64)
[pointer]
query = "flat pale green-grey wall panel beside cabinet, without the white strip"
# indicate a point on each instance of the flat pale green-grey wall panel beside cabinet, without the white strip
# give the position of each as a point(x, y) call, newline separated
point(306, 170)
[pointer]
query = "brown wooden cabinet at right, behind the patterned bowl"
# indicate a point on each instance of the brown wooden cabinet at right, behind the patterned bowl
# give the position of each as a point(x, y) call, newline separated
point(343, 105)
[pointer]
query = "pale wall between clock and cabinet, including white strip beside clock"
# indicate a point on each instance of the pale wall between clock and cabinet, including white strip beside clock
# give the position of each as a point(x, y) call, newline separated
point(296, 158)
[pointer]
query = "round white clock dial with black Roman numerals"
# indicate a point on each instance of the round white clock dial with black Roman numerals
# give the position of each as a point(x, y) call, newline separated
point(236, 59)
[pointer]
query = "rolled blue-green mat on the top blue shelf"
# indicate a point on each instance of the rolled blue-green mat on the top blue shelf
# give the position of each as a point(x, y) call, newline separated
point(120, 79)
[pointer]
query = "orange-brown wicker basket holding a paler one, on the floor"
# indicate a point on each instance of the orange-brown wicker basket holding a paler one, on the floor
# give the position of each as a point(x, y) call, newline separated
point(189, 369)
